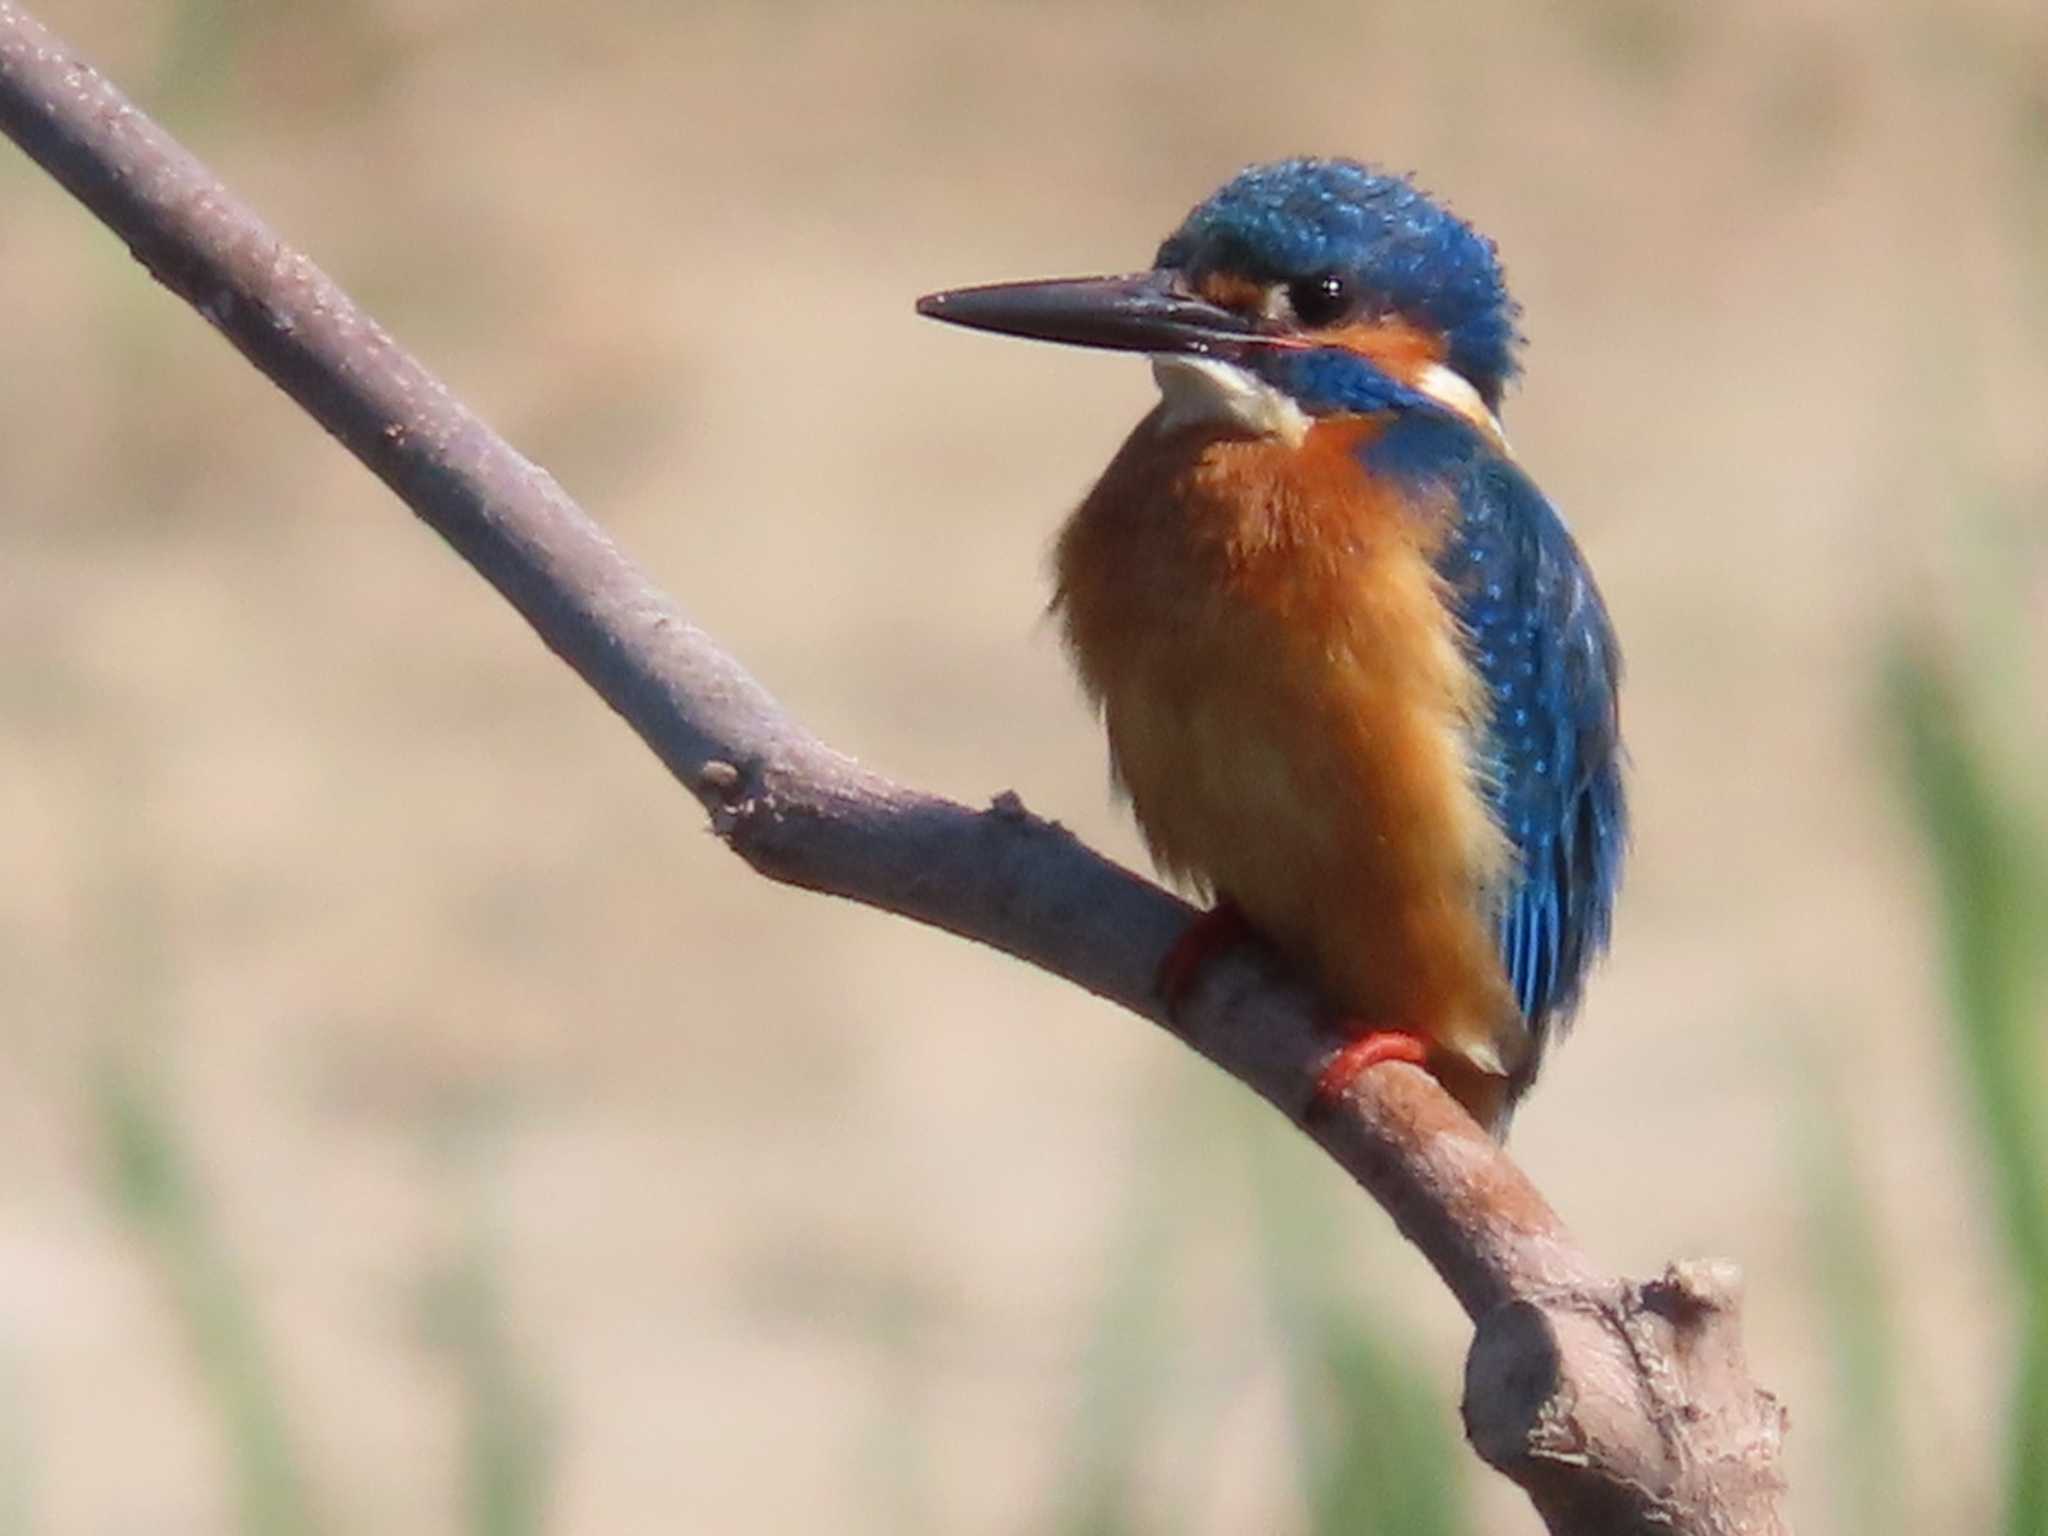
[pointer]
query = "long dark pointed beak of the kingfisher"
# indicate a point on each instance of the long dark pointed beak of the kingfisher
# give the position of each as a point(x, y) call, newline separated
point(1129, 314)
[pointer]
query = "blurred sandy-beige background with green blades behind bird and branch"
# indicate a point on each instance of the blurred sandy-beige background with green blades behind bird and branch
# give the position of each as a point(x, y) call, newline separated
point(411, 1121)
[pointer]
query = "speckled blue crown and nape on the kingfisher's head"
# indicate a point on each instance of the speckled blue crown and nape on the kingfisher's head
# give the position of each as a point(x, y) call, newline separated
point(1406, 255)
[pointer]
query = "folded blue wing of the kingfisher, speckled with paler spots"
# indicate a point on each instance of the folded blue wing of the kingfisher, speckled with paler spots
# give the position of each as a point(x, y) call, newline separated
point(1541, 640)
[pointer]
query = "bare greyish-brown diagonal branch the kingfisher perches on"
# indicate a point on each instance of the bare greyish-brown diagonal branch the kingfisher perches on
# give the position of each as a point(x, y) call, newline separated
point(1621, 1408)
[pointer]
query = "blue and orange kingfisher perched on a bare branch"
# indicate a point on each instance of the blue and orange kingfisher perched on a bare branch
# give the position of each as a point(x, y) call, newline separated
point(1359, 683)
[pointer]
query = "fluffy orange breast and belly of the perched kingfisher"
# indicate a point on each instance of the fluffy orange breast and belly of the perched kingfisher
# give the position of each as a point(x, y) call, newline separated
point(1291, 712)
